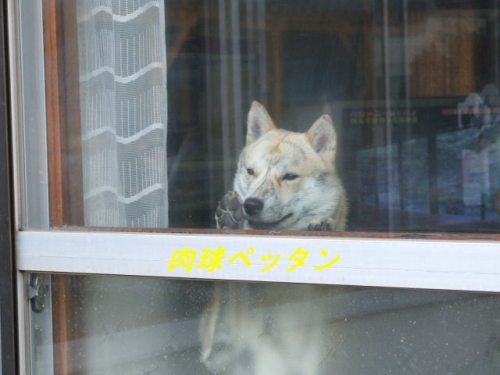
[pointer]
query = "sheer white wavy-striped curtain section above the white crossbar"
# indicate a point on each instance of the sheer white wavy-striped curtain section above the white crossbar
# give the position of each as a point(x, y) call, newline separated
point(122, 57)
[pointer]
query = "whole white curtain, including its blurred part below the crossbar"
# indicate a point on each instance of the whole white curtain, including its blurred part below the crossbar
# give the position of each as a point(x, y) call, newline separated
point(122, 57)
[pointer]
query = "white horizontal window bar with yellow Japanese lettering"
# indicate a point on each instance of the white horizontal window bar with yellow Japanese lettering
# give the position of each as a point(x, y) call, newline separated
point(426, 264)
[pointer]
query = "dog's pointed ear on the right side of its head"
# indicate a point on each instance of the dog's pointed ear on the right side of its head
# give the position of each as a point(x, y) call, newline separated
point(323, 137)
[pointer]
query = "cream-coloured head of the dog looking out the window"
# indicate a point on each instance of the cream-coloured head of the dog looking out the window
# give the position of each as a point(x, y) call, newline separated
point(286, 179)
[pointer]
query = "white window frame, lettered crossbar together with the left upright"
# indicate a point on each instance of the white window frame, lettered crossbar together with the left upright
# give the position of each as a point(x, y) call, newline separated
point(459, 265)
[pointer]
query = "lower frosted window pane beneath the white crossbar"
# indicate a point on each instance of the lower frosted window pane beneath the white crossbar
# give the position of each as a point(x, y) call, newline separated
point(120, 325)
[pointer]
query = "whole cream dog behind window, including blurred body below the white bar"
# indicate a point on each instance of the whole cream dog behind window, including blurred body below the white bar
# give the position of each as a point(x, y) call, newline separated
point(284, 181)
